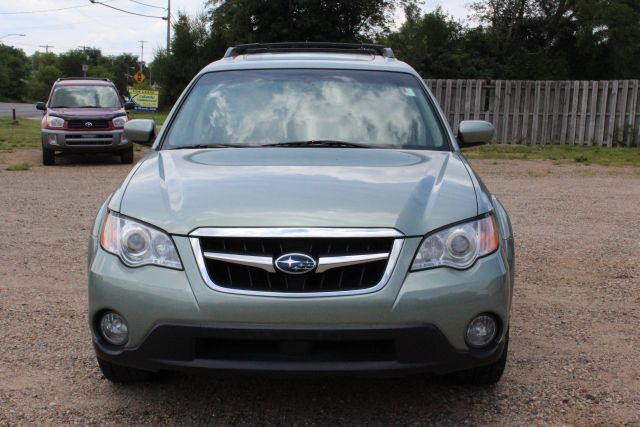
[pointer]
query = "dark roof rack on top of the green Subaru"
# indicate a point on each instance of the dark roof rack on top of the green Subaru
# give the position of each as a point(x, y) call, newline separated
point(320, 47)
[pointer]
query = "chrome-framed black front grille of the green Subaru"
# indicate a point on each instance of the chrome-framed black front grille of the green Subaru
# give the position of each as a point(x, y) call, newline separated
point(345, 261)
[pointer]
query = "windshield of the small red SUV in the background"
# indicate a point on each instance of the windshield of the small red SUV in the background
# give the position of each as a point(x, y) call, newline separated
point(85, 97)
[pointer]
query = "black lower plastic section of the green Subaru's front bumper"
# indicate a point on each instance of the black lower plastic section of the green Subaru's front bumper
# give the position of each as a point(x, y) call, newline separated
point(257, 348)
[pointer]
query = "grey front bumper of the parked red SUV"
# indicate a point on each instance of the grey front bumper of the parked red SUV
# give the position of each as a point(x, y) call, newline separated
point(96, 140)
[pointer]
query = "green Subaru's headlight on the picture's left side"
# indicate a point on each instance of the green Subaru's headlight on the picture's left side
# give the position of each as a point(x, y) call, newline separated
point(138, 244)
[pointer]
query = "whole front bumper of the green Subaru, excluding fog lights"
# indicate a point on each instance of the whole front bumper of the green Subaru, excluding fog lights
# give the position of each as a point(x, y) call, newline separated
point(417, 320)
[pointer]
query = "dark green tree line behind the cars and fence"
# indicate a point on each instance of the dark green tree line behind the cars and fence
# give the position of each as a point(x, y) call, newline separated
point(502, 39)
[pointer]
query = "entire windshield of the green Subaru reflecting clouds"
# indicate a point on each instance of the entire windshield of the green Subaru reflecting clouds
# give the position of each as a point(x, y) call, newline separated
point(267, 107)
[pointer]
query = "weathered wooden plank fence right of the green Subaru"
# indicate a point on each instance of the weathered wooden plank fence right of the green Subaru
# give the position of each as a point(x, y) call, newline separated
point(605, 113)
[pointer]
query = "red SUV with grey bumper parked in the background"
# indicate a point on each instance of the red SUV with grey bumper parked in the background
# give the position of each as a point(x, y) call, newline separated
point(84, 116)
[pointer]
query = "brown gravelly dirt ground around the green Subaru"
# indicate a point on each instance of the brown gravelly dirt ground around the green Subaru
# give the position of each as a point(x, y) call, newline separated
point(574, 356)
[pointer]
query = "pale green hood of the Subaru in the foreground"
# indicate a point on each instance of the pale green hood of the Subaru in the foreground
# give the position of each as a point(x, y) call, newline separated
point(411, 191)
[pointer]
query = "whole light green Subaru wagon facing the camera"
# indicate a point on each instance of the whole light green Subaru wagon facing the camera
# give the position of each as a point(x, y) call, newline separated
point(305, 209)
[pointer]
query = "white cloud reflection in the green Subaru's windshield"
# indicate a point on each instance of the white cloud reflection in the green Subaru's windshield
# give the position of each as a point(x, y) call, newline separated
point(318, 110)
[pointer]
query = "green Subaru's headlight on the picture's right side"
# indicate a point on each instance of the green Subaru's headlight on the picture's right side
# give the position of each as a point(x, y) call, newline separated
point(458, 246)
